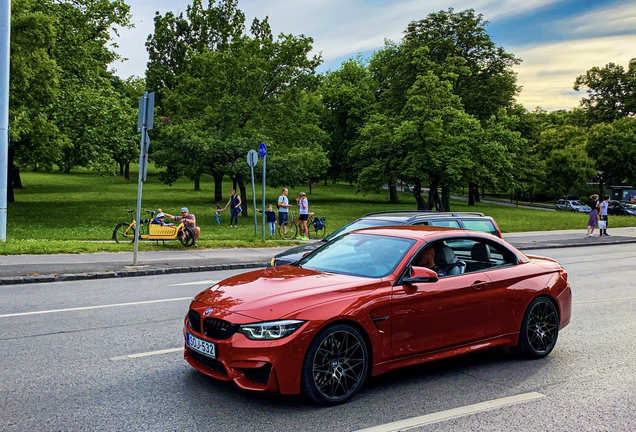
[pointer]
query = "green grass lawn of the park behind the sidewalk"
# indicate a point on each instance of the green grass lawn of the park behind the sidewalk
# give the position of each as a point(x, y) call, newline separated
point(77, 212)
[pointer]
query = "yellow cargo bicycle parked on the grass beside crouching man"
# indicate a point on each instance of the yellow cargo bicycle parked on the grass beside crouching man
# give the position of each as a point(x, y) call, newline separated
point(125, 231)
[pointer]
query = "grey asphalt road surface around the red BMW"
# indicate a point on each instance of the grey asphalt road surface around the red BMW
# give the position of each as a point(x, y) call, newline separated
point(68, 369)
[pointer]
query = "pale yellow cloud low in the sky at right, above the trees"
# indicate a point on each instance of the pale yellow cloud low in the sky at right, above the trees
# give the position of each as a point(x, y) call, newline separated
point(548, 71)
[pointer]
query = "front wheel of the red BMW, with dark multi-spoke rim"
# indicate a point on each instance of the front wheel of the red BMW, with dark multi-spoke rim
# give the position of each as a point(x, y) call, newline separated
point(335, 366)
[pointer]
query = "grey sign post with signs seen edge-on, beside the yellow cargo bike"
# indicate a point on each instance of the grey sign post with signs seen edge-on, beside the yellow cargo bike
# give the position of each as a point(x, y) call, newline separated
point(145, 121)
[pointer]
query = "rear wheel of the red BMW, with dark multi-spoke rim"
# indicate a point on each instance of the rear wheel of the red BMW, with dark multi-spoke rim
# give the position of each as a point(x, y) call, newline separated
point(539, 329)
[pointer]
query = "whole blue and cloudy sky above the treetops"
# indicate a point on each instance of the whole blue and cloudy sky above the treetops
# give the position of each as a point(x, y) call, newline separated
point(557, 40)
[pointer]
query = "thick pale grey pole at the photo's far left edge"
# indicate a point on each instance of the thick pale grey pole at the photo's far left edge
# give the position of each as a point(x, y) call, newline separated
point(5, 46)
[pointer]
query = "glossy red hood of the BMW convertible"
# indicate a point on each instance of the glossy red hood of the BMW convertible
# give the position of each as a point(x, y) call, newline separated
point(275, 292)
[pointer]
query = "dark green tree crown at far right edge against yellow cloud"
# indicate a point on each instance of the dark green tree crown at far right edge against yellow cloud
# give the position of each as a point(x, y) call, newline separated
point(611, 92)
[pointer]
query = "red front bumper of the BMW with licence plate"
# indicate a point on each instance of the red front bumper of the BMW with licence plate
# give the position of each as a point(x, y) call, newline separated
point(264, 366)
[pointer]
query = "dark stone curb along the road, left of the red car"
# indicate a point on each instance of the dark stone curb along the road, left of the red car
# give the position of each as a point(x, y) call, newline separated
point(20, 280)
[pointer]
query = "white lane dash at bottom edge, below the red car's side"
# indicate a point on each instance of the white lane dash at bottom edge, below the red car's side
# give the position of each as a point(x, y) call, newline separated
point(453, 413)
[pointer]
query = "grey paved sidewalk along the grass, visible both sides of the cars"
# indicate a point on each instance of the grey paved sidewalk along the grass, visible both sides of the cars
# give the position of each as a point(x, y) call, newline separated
point(21, 269)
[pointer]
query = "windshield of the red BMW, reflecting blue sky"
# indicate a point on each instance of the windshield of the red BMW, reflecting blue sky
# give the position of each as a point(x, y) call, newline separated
point(365, 255)
